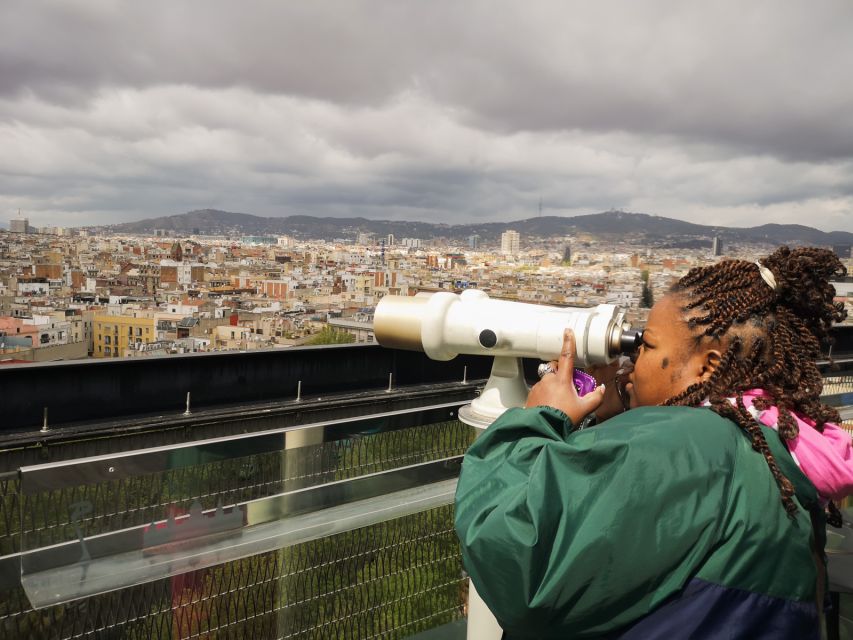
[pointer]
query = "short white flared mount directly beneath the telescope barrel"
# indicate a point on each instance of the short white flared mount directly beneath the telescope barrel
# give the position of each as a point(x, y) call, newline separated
point(505, 389)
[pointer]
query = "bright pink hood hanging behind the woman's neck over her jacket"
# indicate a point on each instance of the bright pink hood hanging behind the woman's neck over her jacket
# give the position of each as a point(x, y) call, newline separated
point(825, 458)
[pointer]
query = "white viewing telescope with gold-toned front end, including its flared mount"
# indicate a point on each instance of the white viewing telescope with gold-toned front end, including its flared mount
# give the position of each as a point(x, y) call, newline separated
point(445, 324)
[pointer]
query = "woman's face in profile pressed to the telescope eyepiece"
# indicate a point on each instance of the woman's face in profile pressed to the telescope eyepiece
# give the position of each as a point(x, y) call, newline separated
point(666, 364)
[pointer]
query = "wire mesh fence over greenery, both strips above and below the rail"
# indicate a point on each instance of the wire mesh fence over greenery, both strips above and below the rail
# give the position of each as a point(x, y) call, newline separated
point(389, 580)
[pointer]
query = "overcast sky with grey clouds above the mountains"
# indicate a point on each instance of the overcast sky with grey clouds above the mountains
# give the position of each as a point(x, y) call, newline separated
point(736, 113)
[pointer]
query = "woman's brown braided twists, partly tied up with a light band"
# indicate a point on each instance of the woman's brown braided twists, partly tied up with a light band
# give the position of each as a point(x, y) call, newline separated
point(773, 338)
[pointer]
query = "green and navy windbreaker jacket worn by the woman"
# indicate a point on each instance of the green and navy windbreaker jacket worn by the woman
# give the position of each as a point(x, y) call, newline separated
point(662, 522)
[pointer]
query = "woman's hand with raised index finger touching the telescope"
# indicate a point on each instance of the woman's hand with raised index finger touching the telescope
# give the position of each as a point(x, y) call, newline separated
point(557, 389)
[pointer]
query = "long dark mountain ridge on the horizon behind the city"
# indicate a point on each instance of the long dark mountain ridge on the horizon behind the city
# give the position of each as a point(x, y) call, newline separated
point(653, 229)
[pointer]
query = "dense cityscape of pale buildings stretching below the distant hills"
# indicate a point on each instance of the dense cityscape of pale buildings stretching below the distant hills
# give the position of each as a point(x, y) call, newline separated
point(73, 293)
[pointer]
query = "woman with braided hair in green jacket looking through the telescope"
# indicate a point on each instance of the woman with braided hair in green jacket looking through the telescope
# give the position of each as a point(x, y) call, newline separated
point(685, 517)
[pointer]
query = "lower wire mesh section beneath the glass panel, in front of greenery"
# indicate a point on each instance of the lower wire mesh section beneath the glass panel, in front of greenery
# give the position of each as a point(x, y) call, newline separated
point(390, 580)
